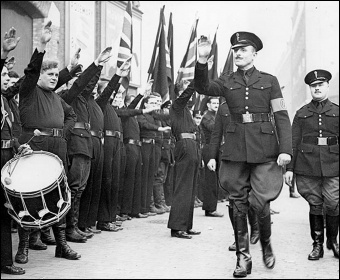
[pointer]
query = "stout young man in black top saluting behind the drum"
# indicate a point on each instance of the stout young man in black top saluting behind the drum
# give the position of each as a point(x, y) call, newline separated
point(41, 108)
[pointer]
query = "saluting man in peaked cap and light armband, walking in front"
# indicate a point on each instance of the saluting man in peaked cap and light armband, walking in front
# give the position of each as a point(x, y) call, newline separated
point(254, 153)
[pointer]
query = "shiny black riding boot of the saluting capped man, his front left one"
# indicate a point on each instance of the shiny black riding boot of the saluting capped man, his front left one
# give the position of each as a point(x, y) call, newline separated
point(244, 263)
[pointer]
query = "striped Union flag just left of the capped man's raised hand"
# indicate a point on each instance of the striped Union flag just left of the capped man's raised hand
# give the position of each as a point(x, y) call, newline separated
point(187, 67)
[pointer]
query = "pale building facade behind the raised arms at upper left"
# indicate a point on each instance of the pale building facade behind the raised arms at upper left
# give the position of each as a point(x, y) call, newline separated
point(90, 25)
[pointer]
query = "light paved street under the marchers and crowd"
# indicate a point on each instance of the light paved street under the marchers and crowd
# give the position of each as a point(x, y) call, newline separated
point(145, 250)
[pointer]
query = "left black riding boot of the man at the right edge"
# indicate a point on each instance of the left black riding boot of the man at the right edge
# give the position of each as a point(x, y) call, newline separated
point(317, 233)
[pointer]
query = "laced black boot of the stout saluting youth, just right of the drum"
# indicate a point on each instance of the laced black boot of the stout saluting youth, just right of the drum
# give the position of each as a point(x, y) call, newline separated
point(63, 250)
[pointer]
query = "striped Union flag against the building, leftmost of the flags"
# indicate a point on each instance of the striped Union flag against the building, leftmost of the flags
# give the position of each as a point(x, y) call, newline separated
point(125, 46)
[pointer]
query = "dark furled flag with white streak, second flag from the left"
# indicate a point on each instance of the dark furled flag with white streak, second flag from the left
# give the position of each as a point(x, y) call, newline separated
point(160, 67)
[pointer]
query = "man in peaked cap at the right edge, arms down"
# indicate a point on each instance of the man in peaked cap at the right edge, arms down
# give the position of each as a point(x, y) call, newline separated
point(316, 161)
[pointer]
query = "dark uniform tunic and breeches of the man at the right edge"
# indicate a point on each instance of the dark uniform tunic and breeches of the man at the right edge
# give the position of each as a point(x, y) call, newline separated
point(317, 166)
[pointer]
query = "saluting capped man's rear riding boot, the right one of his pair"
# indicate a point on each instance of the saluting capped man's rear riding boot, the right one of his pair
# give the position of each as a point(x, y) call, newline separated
point(264, 223)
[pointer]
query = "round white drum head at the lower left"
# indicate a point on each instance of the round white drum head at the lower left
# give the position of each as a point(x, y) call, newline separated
point(32, 172)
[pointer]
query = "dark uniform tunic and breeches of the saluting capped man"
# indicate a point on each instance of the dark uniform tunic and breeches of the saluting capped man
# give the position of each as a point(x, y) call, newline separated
point(251, 149)
